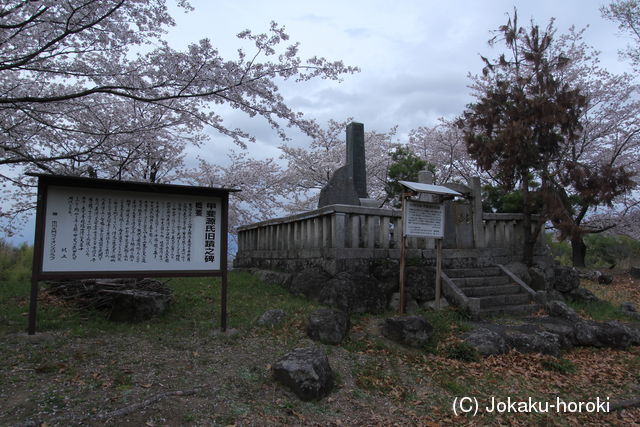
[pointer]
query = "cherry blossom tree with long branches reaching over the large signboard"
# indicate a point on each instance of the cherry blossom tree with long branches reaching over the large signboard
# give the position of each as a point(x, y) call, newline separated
point(92, 83)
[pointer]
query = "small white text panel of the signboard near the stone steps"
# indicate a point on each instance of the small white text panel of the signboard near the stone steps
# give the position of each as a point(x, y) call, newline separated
point(423, 219)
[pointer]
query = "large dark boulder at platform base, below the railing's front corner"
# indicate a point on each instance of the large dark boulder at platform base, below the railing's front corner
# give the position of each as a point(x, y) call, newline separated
point(354, 292)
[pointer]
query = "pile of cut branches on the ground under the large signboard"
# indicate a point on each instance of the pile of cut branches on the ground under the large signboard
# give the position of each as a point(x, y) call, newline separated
point(95, 294)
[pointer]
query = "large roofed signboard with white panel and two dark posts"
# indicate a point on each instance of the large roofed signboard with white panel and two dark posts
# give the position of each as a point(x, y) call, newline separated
point(97, 228)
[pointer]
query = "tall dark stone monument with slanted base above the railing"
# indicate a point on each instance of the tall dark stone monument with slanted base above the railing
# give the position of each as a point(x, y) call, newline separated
point(348, 184)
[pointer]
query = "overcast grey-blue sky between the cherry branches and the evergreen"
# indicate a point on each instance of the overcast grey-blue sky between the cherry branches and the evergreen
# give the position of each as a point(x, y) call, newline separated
point(414, 56)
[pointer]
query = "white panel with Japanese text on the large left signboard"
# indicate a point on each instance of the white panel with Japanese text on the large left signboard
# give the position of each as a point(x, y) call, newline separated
point(88, 229)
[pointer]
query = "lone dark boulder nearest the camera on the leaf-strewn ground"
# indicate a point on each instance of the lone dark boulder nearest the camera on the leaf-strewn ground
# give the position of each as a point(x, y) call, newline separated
point(306, 372)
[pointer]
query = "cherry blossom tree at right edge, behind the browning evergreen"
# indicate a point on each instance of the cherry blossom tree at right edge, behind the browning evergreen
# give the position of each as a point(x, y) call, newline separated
point(594, 168)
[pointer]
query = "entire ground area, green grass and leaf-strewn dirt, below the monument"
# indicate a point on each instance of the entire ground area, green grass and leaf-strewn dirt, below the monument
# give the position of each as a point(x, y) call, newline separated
point(175, 370)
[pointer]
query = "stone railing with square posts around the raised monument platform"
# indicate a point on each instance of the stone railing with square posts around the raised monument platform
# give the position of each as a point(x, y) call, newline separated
point(337, 235)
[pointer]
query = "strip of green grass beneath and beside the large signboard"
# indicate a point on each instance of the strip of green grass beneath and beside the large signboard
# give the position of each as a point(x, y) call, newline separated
point(195, 309)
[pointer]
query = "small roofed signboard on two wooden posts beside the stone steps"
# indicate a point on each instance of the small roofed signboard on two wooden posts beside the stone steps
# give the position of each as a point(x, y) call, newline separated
point(422, 219)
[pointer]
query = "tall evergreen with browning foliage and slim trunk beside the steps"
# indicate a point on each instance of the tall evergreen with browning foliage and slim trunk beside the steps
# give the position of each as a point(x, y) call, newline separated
point(523, 115)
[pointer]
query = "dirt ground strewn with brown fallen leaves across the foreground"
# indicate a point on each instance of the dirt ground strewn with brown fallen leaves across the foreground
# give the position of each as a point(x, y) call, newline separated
point(151, 379)
